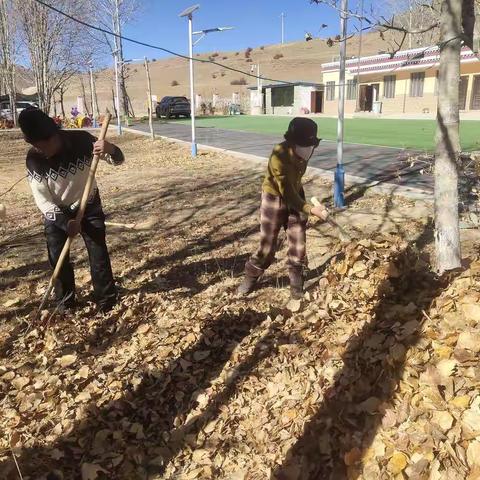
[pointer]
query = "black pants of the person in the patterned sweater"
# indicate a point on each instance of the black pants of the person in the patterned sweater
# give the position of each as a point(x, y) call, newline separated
point(93, 233)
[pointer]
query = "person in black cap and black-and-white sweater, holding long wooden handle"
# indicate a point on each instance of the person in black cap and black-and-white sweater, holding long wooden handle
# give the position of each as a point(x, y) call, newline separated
point(58, 165)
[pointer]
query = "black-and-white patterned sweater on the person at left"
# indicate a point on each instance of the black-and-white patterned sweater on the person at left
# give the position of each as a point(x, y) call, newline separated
point(57, 182)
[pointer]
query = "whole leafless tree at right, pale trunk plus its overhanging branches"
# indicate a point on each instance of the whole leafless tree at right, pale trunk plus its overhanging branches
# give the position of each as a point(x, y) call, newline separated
point(455, 22)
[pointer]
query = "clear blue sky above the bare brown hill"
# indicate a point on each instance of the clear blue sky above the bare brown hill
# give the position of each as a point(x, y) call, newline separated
point(256, 22)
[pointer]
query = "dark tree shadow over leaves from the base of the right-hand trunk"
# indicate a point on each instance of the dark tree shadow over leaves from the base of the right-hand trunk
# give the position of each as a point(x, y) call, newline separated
point(373, 363)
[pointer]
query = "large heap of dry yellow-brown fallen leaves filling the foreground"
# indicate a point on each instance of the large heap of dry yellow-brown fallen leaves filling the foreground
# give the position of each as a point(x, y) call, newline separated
point(369, 378)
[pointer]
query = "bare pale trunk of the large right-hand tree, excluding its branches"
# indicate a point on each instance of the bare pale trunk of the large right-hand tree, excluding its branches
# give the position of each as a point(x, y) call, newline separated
point(447, 231)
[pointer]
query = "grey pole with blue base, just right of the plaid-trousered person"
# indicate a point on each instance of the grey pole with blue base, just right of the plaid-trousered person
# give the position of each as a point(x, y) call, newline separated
point(339, 180)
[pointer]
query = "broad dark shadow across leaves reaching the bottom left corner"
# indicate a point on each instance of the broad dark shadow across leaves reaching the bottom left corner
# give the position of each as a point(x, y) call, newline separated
point(136, 427)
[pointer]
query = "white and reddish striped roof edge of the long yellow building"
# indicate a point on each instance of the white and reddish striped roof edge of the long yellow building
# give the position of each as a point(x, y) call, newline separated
point(415, 59)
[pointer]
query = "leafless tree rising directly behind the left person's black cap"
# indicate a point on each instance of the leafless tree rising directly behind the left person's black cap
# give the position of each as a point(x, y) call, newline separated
point(56, 48)
